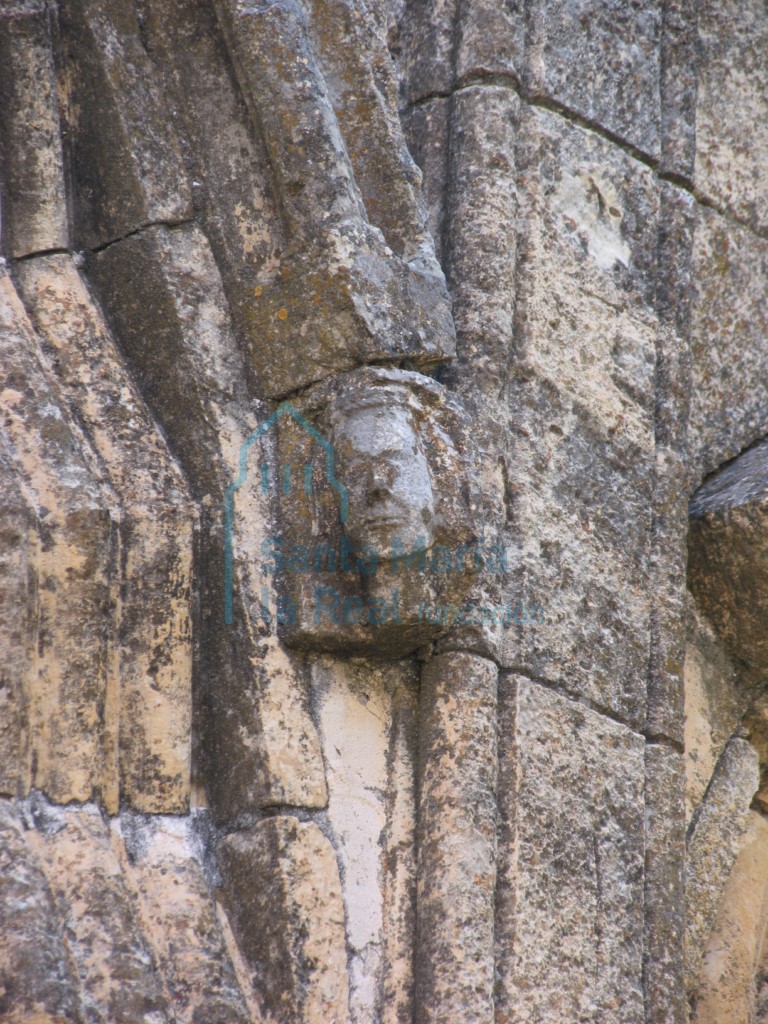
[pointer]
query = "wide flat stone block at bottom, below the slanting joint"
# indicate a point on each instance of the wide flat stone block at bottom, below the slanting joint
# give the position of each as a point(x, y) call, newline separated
point(570, 904)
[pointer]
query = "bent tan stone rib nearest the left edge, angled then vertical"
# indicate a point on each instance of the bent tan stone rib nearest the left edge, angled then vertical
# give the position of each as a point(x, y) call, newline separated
point(73, 701)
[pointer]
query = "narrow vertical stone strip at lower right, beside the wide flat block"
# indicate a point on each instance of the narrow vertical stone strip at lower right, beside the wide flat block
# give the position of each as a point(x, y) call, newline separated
point(664, 967)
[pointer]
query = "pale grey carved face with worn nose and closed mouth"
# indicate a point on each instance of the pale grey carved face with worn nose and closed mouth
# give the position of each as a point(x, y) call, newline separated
point(381, 462)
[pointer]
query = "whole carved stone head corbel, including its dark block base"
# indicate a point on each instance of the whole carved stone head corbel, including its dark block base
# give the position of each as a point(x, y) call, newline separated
point(361, 582)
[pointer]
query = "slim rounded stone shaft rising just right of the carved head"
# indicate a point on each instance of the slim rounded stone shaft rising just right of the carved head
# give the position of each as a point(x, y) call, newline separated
point(481, 234)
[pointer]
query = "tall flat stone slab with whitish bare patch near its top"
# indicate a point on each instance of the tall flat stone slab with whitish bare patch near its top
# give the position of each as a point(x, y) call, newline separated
point(582, 443)
